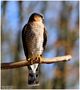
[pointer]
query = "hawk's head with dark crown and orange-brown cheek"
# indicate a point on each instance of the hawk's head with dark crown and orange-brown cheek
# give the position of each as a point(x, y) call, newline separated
point(36, 17)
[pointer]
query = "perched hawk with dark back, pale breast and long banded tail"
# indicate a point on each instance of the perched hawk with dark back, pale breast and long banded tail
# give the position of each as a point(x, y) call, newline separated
point(34, 40)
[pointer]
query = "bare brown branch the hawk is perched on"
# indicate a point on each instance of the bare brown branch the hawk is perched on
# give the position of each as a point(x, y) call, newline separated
point(24, 62)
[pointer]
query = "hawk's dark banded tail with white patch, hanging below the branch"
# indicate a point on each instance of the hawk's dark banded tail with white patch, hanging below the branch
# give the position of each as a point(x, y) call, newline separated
point(33, 74)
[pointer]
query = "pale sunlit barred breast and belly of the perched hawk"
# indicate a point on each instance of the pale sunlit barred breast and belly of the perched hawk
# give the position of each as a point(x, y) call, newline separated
point(38, 30)
